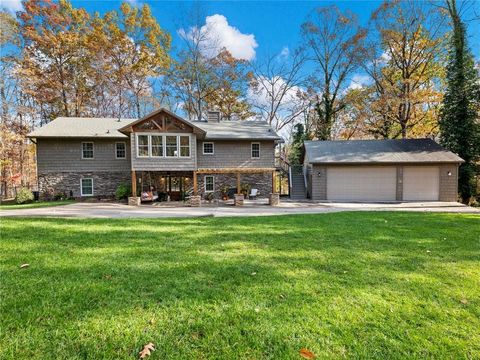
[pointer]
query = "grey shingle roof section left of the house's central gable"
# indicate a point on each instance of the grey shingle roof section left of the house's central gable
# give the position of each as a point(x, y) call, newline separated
point(78, 127)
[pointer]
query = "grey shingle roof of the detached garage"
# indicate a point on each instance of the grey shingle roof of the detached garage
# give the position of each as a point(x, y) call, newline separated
point(378, 152)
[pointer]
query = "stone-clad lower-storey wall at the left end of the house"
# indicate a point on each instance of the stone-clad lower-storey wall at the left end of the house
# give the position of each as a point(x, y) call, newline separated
point(104, 183)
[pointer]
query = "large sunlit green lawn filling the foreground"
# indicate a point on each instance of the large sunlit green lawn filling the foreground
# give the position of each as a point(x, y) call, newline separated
point(345, 285)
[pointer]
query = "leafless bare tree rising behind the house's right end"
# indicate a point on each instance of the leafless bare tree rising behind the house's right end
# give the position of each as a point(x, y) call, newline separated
point(276, 89)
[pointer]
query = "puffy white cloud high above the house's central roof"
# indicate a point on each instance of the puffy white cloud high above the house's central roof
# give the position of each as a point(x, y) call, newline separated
point(220, 34)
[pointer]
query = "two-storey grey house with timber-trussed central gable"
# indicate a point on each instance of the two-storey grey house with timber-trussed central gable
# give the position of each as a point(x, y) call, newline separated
point(88, 157)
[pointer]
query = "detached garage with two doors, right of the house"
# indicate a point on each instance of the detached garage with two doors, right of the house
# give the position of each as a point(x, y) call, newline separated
point(380, 170)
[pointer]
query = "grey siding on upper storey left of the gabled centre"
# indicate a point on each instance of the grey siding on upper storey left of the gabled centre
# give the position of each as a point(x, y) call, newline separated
point(65, 155)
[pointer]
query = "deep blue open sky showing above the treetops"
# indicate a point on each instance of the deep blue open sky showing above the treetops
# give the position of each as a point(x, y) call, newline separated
point(273, 24)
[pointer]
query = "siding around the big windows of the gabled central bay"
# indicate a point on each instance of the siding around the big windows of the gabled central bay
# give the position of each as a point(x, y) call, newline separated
point(164, 163)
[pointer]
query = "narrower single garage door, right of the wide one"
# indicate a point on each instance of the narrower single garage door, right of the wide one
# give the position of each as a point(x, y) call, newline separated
point(421, 182)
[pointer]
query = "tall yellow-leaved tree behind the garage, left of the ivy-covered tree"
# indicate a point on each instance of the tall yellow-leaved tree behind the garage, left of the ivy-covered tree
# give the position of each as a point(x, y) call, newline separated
point(406, 68)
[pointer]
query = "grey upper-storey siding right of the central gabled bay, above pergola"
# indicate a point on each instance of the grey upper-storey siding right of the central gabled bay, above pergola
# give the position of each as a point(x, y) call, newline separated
point(236, 153)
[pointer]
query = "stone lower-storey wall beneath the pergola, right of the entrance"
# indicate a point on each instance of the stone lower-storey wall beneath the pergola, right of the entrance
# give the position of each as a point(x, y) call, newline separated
point(261, 181)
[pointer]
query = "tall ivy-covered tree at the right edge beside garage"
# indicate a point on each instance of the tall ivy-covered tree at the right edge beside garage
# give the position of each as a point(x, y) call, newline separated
point(459, 126)
